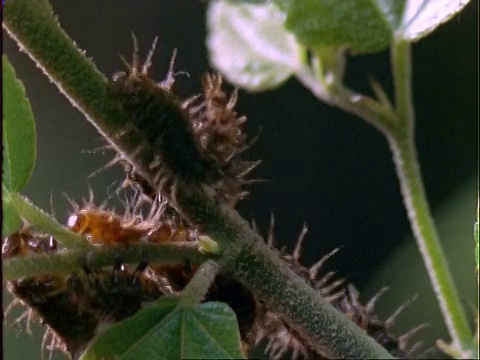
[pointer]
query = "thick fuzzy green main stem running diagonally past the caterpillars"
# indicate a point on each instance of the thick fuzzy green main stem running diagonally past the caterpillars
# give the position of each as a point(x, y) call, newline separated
point(33, 26)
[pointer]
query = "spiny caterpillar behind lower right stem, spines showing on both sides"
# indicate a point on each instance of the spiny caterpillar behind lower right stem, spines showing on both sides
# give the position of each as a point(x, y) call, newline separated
point(282, 340)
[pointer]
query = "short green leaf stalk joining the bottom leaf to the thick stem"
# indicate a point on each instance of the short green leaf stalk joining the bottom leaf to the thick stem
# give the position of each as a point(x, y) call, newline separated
point(198, 286)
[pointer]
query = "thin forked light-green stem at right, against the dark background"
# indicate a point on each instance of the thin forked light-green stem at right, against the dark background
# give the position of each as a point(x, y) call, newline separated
point(398, 128)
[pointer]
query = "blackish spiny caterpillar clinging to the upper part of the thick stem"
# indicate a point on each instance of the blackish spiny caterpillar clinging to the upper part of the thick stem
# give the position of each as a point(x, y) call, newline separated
point(159, 116)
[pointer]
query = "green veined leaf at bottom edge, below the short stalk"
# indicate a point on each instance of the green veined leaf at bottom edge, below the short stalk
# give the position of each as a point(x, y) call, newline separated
point(166, 330)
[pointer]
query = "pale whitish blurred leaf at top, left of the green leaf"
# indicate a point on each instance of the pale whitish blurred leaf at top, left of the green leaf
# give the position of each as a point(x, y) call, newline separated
point(249, 45)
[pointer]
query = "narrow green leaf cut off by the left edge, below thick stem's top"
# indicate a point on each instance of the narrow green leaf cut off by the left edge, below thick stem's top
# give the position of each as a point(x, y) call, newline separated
point(19, 136)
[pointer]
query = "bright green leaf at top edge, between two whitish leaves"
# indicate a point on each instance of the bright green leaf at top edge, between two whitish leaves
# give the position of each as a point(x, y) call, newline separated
point(359, 25)
